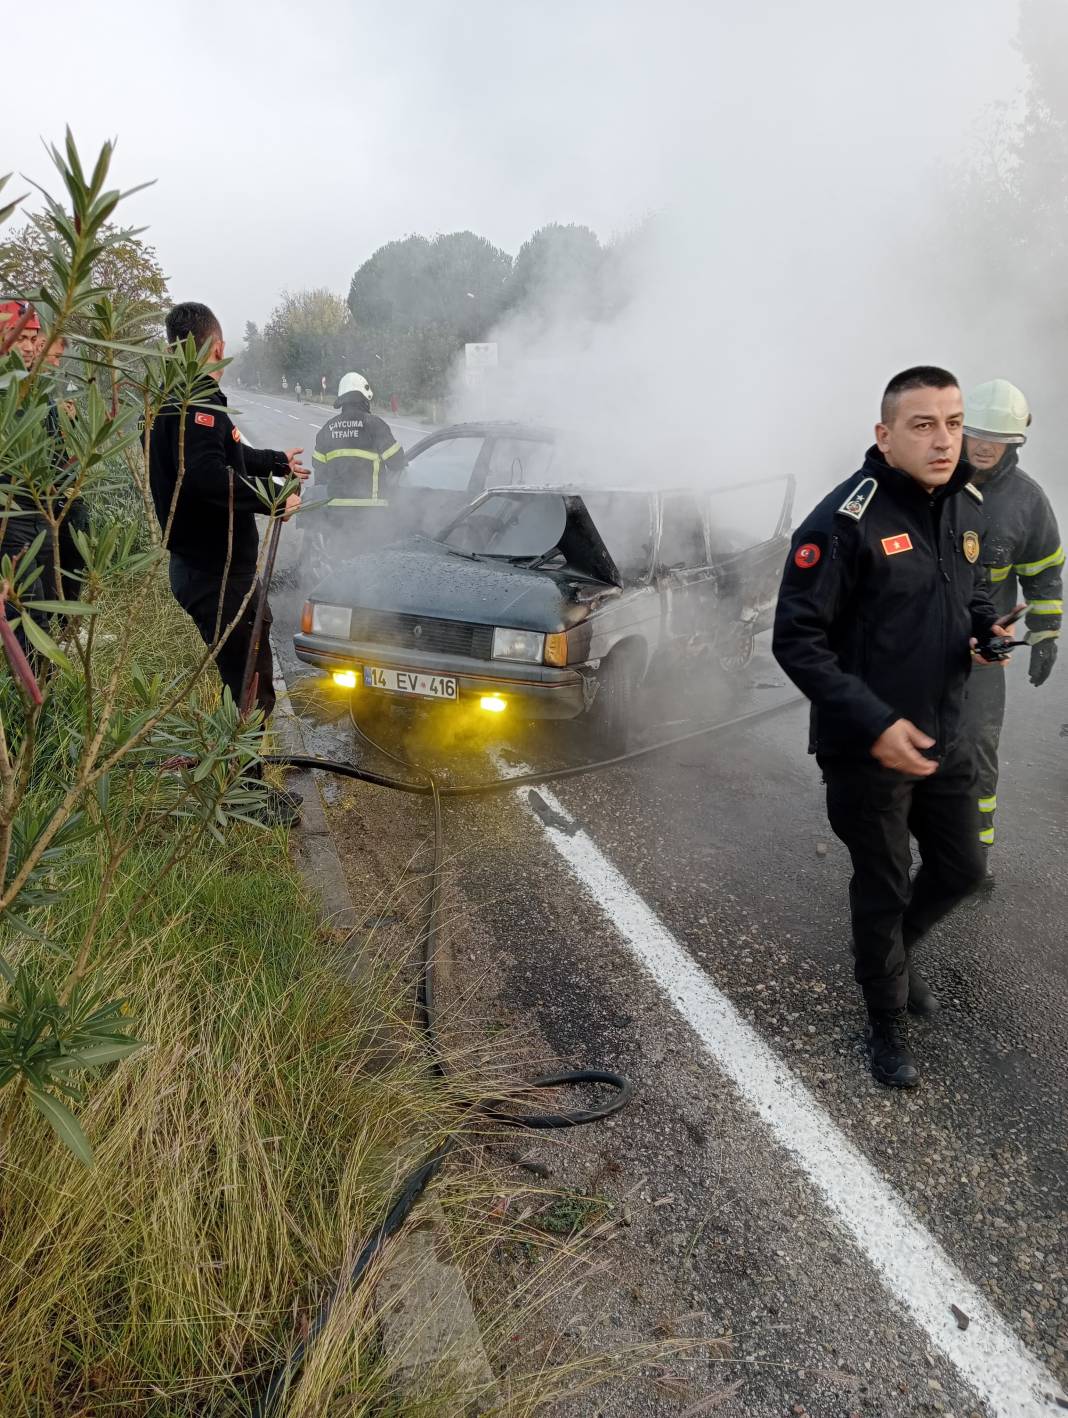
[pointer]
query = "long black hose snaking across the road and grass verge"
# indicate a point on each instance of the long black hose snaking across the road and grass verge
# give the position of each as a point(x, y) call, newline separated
point(413, 1188)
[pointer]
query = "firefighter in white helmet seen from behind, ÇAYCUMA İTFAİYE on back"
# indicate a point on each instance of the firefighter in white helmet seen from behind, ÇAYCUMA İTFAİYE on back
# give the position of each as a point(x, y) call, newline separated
point(358, 463)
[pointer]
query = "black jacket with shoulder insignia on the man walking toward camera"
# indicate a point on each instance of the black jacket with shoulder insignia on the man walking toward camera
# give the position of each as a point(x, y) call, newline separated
point(880, 598)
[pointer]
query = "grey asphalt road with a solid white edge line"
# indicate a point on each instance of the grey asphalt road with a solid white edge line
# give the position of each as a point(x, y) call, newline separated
point(693, 932)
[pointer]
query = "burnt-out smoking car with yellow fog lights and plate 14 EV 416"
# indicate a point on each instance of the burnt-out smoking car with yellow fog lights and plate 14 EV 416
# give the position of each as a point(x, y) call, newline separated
point(550, 602)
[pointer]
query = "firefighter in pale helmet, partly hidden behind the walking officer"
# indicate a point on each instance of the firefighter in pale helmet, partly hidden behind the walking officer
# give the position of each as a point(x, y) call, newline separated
point(1020, 542)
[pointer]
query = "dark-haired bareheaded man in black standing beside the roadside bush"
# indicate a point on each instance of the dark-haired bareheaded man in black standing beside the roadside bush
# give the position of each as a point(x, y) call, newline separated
point(213, 564)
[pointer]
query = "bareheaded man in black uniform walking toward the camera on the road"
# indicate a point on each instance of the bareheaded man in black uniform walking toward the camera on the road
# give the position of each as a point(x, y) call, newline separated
point(881, 612)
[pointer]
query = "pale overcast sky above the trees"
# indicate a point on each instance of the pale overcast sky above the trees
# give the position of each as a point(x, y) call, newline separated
point(290, 143)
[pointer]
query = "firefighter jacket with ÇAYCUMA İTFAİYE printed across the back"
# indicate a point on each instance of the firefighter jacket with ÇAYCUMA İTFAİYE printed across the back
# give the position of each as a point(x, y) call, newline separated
point(357, 457)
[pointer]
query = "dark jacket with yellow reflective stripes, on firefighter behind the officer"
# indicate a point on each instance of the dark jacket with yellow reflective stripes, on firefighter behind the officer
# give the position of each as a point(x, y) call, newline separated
point(1022, 540)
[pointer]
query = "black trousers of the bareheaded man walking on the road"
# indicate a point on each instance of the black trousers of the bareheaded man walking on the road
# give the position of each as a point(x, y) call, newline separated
point(874, 810)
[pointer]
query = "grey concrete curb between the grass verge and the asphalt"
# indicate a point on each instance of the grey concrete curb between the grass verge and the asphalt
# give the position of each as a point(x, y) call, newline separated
point(428, 1321)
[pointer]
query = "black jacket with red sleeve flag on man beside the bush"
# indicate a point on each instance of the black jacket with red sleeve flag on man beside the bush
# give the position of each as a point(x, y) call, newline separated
point(218, 487)
